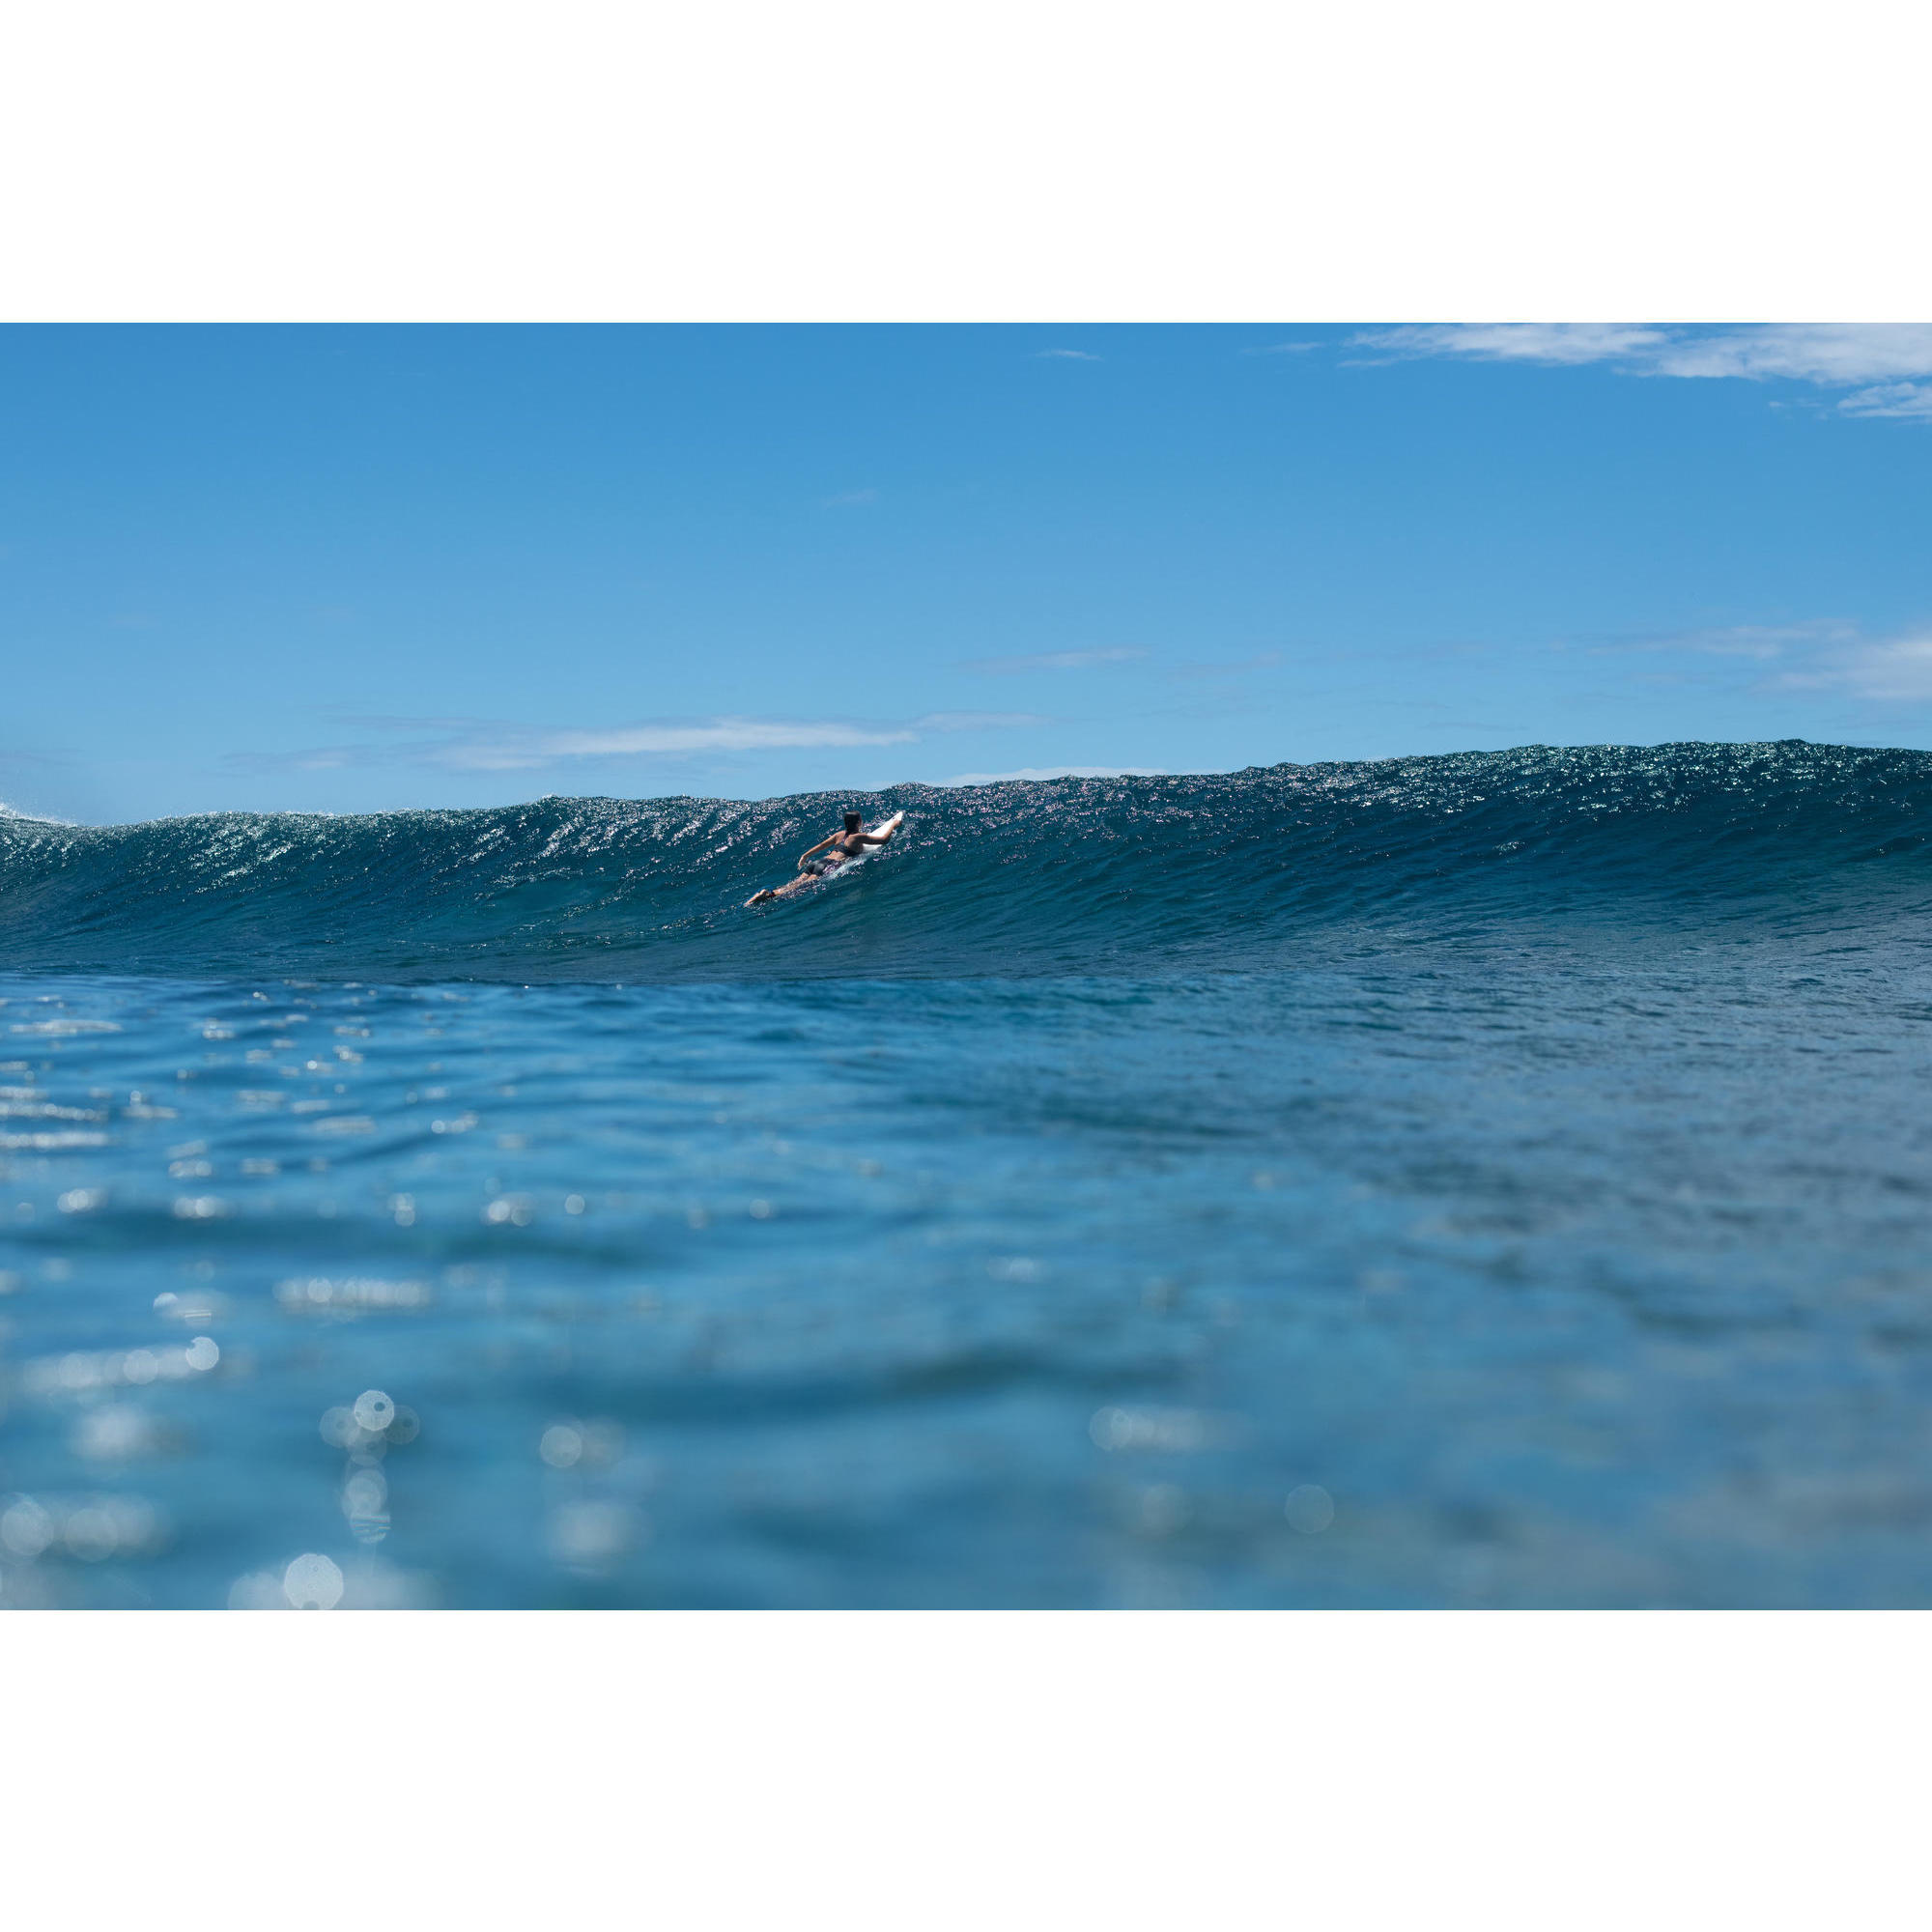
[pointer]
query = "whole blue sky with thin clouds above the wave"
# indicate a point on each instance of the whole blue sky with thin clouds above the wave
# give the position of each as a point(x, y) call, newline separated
point(347, 569)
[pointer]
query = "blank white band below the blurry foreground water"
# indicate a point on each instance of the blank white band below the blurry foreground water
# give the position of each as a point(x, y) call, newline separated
point(967, 1771)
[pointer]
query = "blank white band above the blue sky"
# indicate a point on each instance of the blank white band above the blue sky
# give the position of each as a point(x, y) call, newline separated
point(1009, 159)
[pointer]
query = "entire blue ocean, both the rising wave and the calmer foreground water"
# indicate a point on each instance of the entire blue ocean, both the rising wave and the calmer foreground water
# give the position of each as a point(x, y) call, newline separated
point(1500, 1179)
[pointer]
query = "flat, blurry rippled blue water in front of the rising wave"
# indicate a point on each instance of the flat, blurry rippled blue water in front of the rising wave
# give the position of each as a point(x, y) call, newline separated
point(1529, 1284)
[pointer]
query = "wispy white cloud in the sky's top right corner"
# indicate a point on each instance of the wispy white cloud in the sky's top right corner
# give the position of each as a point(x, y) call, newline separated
point(1889, 366)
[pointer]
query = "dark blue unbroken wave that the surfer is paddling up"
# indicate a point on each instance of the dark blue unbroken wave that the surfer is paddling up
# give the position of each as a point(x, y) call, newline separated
point(1203, 874)
